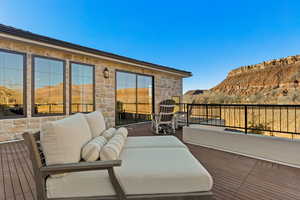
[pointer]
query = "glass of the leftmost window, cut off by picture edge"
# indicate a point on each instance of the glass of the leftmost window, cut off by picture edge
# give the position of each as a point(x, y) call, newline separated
point(12, 84)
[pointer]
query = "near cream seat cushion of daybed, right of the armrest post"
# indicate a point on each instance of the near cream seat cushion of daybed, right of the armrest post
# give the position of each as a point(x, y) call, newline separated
point(162, 170)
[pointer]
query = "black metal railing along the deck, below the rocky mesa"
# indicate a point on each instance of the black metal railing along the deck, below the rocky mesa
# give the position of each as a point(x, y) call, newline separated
point(266, 119)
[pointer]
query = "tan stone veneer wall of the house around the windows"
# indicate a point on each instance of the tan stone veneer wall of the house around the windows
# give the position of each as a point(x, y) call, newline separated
point(166, 86)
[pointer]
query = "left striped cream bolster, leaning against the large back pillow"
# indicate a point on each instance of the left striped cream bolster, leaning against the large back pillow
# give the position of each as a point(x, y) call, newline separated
point(91, 151)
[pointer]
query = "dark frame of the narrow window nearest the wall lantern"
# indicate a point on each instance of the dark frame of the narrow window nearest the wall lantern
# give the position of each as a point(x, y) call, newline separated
point(70, 85)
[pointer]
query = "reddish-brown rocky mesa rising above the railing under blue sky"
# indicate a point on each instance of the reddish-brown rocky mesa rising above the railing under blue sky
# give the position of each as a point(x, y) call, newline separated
point(274, 81)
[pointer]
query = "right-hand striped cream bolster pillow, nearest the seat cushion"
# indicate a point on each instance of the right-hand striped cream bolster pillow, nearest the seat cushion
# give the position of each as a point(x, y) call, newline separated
point(113, 148)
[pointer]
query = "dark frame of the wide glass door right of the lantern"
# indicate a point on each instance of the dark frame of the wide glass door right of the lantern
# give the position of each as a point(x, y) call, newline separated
point(136, 81)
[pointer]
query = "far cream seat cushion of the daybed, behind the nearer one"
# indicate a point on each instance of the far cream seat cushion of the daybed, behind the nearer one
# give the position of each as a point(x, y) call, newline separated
point(153, 142)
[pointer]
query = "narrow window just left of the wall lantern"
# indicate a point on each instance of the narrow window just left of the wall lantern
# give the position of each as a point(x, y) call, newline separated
point(82, 88)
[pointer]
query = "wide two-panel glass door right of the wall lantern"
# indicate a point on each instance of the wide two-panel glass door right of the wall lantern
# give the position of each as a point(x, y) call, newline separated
point(134, 93)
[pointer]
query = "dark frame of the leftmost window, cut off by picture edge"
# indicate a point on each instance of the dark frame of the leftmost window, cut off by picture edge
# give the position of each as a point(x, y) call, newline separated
point(24, 84)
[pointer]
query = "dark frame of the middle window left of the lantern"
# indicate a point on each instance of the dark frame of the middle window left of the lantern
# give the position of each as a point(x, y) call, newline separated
point(33, 114)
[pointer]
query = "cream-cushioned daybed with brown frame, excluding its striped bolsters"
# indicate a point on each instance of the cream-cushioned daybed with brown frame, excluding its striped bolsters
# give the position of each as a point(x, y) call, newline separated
point(157, 167)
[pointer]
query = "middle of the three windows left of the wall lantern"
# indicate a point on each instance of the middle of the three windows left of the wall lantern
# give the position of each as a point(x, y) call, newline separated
point(48, 86)
